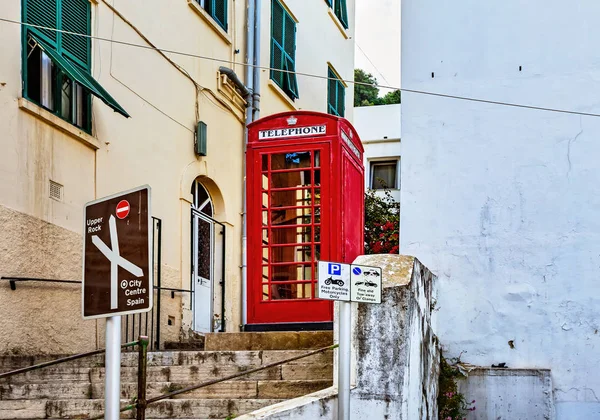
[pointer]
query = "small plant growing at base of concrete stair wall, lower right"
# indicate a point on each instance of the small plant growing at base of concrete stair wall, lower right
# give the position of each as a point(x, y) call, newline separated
point(451, 403)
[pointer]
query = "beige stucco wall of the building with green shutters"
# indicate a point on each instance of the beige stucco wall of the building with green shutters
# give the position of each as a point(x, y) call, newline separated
point(154, 146)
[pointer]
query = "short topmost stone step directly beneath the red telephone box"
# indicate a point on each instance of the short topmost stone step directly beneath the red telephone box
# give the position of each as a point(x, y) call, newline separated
point(298, 340)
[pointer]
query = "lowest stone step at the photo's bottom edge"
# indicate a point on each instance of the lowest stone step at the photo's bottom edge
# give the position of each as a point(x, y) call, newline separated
point(167, 409)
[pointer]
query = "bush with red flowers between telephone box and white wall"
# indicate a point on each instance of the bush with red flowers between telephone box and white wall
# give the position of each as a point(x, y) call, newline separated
point(382, 223)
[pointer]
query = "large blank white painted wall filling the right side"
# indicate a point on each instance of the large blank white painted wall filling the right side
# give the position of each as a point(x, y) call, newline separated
point(502, 202)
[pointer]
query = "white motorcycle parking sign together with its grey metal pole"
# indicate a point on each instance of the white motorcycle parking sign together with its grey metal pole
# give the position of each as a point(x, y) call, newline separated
point(347, 283)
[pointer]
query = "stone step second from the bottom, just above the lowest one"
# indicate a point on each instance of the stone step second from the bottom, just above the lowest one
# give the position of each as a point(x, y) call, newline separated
point(228, 389)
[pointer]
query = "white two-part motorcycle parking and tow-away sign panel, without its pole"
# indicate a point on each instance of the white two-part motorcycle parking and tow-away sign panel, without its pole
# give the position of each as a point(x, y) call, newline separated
point(349, 282)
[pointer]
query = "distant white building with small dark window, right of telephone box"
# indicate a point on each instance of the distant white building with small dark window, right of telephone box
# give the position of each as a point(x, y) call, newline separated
point(379, 130)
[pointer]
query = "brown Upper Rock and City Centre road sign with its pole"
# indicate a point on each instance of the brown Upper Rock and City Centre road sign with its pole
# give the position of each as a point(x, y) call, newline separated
point(117, 273)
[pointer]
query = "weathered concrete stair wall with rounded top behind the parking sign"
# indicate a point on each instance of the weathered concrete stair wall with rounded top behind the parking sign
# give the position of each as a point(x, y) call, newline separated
point(395, 353)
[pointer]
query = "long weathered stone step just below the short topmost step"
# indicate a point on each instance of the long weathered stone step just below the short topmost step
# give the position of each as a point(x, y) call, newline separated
point(170, 358)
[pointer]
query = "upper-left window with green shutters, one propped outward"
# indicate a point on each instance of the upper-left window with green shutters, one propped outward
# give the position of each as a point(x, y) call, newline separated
point(56, 65)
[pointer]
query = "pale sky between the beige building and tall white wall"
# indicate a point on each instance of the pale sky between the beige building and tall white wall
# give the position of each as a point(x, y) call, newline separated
point(378, 36)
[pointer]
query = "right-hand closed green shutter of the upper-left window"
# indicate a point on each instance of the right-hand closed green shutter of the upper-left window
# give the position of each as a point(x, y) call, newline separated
point(75, 17)
